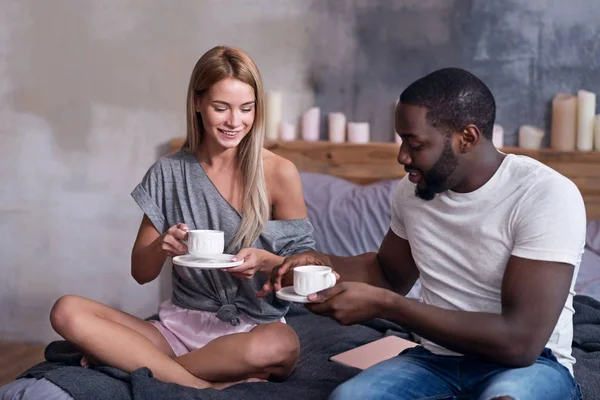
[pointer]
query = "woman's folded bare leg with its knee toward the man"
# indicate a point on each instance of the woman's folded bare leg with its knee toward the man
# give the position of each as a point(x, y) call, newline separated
point(268, 351)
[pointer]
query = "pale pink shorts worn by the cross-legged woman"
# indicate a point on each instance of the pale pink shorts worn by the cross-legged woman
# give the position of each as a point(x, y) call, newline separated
point(188, 330)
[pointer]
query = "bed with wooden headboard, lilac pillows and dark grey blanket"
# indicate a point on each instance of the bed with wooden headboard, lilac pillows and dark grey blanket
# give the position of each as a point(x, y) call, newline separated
point(347, 189)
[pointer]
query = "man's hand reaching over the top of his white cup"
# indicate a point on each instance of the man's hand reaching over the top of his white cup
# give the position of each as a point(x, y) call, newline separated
point(282, 275)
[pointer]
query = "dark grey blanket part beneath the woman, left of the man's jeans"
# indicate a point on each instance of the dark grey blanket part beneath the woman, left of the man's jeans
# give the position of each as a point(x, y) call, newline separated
point(314, 378)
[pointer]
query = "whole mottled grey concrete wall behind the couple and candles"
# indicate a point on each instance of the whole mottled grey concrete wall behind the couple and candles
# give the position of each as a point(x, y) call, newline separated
point(90, 92)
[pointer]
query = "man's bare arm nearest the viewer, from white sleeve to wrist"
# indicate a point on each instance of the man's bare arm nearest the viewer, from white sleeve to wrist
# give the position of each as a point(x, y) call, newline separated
point(533, 295)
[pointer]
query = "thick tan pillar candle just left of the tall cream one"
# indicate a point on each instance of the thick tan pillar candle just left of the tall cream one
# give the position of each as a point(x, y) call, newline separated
point(563, 131)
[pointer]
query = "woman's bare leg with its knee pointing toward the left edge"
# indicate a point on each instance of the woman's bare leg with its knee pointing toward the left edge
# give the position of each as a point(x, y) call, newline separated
point(118, 339)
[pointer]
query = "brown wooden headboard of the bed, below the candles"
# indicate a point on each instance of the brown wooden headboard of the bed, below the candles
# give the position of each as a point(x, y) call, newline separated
point(368, 163)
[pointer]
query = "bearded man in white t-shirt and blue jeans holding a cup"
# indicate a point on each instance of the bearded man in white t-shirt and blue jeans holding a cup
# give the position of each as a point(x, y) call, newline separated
point(496, 241)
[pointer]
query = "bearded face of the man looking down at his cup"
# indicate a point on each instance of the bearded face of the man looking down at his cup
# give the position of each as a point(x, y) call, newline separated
point(426, 152)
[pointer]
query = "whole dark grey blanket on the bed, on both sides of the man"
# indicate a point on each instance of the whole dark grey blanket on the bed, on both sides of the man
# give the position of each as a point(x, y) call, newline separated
point(315, 376)
